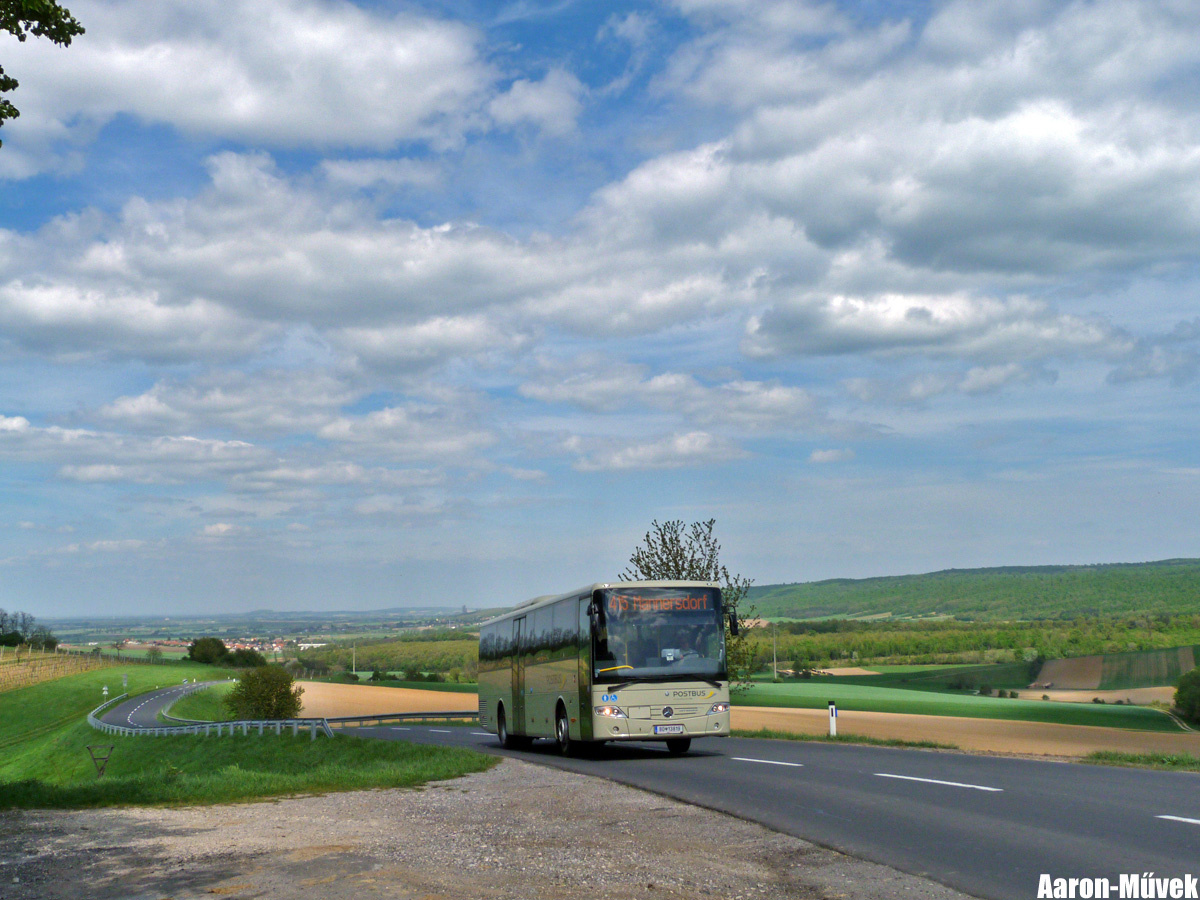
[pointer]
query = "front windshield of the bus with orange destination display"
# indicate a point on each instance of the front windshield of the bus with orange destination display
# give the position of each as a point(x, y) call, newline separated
point(659, 634)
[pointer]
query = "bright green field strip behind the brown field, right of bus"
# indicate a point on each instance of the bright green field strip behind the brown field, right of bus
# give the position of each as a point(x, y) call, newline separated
point(817, 693)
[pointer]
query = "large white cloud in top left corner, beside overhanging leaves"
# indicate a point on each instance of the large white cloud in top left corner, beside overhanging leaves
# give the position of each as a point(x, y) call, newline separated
point(275, 73)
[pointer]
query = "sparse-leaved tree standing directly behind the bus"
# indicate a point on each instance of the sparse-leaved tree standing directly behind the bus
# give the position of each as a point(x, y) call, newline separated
point(675, 551)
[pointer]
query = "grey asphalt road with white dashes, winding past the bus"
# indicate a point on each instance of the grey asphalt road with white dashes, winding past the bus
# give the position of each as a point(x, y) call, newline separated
point(987, 826)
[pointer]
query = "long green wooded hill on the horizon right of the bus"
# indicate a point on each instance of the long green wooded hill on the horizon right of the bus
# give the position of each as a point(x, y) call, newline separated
point(1171, 586)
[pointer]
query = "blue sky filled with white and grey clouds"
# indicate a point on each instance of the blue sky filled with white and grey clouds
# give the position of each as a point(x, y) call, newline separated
point(321, 305)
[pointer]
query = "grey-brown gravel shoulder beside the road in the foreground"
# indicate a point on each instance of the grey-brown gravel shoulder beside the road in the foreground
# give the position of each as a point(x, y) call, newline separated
point(518, 832)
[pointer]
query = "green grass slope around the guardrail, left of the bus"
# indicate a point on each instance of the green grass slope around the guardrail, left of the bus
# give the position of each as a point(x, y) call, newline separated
point(45, 760)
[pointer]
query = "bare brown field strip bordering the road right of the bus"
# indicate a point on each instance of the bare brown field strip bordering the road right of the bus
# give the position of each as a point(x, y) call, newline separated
point(981, 735)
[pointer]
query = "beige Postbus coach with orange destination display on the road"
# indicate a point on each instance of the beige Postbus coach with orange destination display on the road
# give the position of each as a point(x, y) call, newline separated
point(634, 661)
